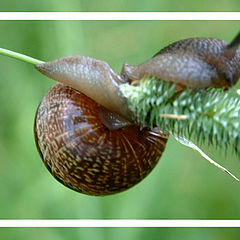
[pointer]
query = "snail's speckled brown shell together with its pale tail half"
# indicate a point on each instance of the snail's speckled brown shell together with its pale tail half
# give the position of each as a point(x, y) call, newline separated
point(87, 139)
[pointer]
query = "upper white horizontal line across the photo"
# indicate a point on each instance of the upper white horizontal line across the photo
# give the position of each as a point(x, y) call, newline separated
point(119, 15)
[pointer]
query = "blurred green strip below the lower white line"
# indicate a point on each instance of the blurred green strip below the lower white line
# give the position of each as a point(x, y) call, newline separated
point(123, 233)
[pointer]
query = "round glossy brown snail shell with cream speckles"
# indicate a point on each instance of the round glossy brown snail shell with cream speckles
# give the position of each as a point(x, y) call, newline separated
point(83, 153)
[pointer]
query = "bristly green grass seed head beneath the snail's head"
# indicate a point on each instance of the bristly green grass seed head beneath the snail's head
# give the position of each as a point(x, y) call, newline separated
point(207, 115)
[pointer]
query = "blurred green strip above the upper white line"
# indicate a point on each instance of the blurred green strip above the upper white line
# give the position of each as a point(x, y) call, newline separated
point(121, 5)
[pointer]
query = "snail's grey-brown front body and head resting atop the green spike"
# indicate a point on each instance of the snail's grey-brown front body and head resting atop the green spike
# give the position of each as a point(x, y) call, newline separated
point(194, 62)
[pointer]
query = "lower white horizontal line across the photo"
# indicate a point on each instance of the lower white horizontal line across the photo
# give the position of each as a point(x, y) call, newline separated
point(121, 223)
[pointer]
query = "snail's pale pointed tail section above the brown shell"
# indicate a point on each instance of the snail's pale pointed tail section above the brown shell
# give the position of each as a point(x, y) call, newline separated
point(94, 78)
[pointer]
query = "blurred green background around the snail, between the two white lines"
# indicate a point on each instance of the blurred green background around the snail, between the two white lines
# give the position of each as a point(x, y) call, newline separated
point(182, 186)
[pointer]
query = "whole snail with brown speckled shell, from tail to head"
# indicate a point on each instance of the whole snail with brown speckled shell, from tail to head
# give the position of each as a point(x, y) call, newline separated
point(85, 133)
